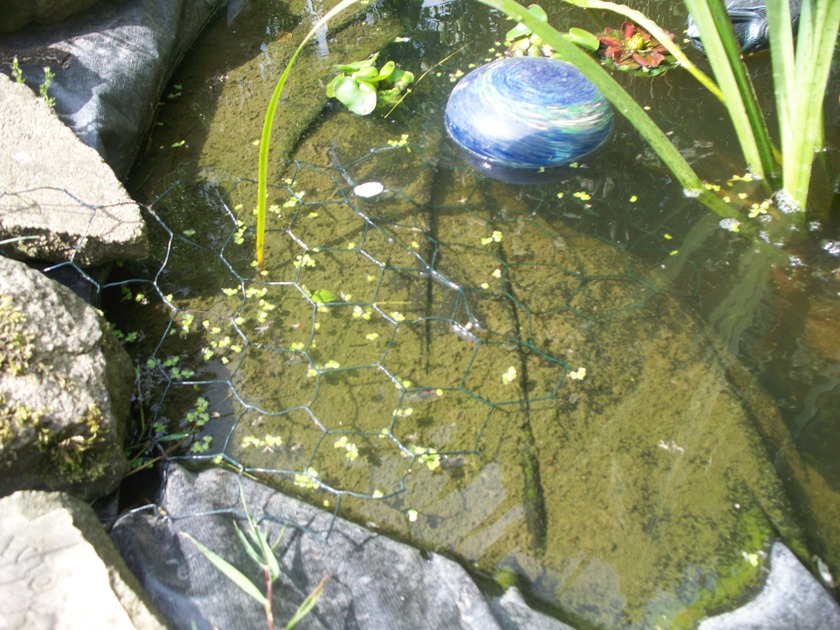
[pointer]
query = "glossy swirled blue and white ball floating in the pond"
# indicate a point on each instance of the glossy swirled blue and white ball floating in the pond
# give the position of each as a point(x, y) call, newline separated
point(527, 113)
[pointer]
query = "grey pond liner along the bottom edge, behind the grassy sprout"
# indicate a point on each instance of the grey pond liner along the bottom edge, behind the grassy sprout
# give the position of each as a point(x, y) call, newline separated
point(373, 582)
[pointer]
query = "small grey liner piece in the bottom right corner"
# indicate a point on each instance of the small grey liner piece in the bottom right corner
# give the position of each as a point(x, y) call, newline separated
point(791, 598)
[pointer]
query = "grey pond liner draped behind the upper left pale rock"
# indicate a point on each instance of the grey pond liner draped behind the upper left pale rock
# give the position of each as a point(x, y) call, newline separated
point(112, 64)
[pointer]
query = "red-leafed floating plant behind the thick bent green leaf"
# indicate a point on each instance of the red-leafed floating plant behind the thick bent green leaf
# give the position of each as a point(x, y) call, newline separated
point(631, 48)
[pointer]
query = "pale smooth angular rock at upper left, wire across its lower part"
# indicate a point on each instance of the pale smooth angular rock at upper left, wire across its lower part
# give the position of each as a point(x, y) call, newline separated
point(57, 192)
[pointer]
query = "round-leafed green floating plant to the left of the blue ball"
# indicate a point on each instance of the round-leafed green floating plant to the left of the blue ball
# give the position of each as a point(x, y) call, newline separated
point(362, 87)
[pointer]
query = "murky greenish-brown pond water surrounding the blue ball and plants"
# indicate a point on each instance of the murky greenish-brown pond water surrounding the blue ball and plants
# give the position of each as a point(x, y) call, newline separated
point(586, 386)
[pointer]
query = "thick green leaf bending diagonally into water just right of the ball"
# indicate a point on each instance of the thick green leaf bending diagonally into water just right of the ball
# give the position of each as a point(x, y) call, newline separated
point(622, 101)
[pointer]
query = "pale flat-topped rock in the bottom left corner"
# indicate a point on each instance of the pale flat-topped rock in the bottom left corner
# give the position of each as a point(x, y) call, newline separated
point(59, 569)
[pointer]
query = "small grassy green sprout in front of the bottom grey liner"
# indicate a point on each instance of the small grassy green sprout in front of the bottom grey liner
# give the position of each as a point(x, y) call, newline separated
point(256, 544)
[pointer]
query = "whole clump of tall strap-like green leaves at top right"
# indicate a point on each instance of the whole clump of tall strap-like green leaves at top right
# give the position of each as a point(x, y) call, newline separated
point(800, 79)
